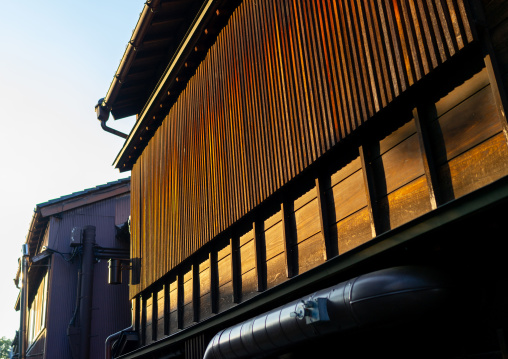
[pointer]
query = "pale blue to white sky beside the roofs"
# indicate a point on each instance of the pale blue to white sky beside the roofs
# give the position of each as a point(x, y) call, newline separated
point(57, 58)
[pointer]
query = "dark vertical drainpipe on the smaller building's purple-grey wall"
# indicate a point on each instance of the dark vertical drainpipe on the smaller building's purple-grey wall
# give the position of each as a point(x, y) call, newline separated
point(85, 308)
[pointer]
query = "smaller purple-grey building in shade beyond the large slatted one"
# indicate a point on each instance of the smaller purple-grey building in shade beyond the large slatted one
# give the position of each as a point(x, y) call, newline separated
point(58, 275)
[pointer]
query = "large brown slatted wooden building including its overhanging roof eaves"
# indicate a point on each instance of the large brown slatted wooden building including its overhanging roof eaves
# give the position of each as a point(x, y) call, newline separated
point(282, 147)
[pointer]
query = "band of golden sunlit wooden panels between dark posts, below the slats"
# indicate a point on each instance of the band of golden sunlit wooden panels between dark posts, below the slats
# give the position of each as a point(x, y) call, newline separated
point(441, 150)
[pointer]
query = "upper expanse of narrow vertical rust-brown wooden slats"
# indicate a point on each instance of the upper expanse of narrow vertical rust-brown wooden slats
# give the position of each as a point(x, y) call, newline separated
point(284, 82)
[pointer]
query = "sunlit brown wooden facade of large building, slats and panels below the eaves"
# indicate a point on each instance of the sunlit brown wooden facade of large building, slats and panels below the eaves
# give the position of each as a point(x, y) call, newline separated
point(310, 135)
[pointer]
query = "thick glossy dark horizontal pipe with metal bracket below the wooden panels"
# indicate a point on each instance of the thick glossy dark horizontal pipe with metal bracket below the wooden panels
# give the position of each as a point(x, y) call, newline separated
point(377, 298)
